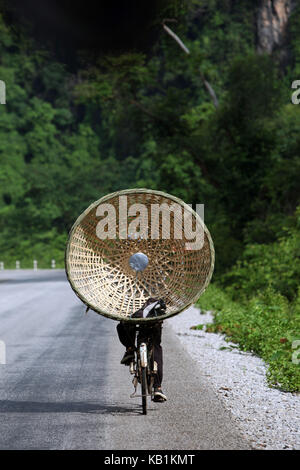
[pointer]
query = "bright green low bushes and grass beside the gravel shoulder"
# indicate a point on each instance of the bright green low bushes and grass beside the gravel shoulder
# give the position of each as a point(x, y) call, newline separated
point(266, 324)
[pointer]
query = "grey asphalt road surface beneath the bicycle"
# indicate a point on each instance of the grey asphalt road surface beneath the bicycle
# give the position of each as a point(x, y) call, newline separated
point(63, 387)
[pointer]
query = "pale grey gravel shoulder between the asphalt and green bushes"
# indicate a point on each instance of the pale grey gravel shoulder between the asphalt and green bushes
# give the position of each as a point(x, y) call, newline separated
point(267, 418)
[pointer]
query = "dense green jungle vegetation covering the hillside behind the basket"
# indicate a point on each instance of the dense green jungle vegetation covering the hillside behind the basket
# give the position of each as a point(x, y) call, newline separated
point(145, 119)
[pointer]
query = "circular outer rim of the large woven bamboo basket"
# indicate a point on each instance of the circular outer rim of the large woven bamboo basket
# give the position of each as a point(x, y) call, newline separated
point(131, 191)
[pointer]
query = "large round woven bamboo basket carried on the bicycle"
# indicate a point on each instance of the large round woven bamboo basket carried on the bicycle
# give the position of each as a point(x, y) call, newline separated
point(101, 276)
